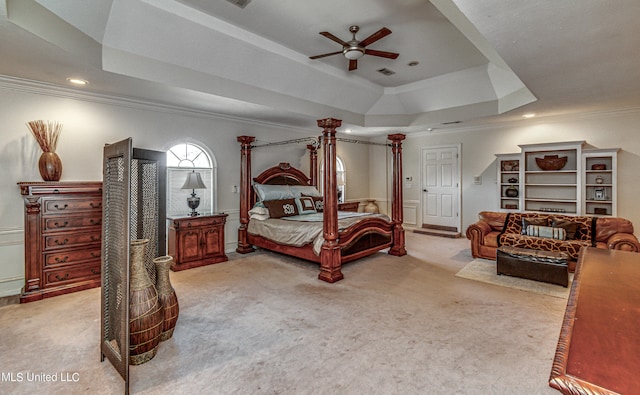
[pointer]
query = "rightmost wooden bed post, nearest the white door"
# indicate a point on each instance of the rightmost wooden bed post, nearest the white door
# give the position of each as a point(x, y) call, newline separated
point(398, 247)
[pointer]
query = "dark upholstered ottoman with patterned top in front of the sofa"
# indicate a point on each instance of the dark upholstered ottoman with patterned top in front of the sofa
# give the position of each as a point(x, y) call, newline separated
point(546, 266)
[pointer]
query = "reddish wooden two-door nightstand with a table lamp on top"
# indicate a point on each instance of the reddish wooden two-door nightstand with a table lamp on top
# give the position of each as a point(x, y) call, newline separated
point(196, 241)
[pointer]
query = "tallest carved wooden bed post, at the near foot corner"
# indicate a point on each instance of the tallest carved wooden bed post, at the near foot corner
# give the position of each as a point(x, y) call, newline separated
point(330, 258)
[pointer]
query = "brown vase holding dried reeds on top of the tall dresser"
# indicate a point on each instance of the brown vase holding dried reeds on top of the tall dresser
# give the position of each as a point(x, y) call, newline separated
point(47, 134)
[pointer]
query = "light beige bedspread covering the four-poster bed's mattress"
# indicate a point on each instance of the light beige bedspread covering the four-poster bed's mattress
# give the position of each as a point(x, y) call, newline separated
point(301, 232)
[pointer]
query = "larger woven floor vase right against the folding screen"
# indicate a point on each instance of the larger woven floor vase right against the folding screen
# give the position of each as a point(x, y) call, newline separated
point(145, 311)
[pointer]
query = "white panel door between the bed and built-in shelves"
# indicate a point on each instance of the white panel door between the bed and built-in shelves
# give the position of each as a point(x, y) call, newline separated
point(440, 192)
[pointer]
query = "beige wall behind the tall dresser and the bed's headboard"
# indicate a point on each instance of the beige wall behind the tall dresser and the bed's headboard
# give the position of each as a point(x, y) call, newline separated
point(90, 122)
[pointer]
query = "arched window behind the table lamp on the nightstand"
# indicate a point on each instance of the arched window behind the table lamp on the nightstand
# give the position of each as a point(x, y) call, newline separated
point(183, 159)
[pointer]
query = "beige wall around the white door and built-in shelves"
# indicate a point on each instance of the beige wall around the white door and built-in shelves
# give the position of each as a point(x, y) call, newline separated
point(479, 146)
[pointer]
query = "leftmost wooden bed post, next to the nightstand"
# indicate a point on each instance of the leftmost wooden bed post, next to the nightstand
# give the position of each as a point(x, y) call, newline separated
point(245, 193)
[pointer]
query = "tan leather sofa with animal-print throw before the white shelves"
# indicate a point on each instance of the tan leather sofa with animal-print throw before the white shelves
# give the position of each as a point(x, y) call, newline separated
point(499, 228)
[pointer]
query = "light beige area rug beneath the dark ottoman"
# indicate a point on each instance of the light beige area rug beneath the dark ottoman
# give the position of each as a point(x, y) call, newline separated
point(484, 270)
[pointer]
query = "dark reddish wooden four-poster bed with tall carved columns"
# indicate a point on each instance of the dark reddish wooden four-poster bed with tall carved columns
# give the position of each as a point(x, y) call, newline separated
point(342, 238)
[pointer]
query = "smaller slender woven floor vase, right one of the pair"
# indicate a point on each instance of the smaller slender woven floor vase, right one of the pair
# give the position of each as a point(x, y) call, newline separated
point(167, 296)
